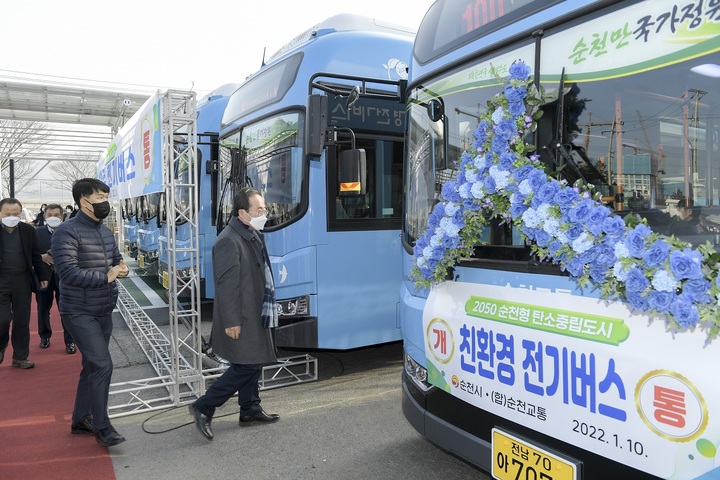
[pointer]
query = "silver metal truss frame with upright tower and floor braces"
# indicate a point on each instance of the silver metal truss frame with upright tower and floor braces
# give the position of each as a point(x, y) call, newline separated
point(178, 361)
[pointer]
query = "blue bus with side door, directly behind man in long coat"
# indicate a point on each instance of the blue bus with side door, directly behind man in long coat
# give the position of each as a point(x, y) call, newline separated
point(330, 170)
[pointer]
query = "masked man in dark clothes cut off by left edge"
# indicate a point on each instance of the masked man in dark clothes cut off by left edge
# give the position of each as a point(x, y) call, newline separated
point(21, 272)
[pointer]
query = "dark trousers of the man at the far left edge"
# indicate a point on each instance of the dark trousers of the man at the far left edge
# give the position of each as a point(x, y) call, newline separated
point(15, 298)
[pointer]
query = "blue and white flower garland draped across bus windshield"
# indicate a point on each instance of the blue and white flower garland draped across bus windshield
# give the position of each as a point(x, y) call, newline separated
point(499, 176)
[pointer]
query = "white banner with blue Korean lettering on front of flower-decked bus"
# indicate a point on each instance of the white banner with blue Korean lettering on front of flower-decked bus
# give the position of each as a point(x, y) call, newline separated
point(581, 370)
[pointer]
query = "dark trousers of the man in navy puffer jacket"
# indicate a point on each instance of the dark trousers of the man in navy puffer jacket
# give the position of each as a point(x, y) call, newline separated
point(92, 337)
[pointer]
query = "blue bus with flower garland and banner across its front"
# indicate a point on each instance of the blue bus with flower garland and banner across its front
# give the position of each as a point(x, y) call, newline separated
point(510, 362)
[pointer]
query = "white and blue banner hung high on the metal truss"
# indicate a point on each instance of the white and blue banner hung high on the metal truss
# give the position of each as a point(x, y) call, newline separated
point(132, 164)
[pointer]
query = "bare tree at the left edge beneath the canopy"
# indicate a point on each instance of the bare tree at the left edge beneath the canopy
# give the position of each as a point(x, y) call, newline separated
point(18, 140)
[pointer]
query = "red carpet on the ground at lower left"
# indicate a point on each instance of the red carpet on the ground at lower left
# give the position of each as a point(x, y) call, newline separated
point(35, 415)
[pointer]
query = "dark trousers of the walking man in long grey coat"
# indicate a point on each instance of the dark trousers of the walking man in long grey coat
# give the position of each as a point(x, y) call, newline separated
point(237, 378)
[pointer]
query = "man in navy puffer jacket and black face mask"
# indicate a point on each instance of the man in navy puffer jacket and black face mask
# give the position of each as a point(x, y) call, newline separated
point(88, 262)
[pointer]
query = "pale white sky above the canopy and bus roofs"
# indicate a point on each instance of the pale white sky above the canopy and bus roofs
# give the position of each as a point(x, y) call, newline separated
point(145, 45)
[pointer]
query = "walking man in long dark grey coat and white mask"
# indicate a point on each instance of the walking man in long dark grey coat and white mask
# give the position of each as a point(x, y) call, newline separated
point(243, 314)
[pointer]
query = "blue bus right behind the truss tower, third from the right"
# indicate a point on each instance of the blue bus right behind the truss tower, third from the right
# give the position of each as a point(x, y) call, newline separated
point(210, 110)
